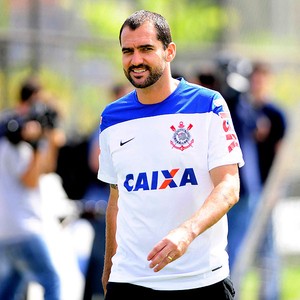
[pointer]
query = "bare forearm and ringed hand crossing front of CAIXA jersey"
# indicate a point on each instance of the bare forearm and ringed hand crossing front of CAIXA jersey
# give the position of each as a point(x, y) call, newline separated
point(224, 195)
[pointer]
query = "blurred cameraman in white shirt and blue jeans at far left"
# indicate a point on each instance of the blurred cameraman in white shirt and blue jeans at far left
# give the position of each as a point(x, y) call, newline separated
point(28, 148)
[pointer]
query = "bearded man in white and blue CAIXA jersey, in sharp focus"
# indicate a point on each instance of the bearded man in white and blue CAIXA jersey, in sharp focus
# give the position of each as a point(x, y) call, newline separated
point(170, 154)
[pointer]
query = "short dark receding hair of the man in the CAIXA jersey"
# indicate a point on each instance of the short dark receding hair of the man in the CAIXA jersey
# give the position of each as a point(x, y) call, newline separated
point(138, 18)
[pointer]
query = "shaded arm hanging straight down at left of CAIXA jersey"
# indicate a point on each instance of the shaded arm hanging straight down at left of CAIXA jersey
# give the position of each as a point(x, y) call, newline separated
point(110, 243)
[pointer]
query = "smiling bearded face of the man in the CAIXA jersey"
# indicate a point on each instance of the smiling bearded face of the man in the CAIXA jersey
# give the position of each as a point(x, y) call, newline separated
point(144, 58)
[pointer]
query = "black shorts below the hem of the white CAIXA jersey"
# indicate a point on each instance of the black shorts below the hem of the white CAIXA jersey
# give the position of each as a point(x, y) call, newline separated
point(218, 291)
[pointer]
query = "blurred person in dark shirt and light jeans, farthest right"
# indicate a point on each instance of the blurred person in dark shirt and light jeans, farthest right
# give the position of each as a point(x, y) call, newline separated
point(271, 129)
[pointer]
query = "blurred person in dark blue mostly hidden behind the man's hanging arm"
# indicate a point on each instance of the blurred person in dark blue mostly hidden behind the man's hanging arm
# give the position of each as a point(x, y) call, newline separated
point(94, 207)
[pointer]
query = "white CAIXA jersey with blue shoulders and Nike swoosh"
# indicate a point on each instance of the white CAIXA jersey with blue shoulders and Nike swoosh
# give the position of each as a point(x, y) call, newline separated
point(160, 156)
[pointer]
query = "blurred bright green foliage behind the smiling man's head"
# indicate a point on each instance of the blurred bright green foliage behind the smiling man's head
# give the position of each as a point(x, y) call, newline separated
point(192, 22)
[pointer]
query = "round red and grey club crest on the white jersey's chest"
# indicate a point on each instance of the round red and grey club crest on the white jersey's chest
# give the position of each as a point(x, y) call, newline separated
point(181, 138)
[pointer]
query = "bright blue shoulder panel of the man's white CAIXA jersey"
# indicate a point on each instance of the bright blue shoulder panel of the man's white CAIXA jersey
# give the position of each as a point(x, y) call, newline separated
point(188, 98)
